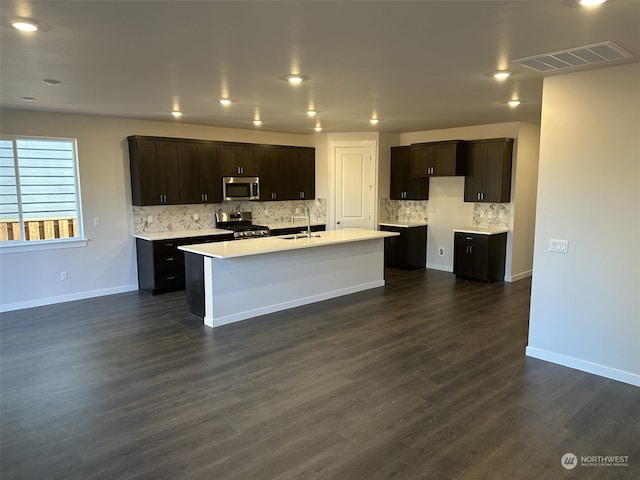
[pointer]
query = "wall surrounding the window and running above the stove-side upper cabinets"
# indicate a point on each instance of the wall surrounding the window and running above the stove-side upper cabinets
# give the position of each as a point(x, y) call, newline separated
point(107, 264)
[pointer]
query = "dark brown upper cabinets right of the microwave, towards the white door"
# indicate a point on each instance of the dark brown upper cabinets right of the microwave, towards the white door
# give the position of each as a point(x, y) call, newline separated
point(287, 173)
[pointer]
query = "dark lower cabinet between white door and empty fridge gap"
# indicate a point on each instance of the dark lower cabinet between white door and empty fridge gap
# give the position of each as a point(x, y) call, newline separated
point(408, 250)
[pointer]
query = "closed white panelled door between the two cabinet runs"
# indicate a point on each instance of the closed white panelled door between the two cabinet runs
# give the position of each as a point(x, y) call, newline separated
point(354, 187)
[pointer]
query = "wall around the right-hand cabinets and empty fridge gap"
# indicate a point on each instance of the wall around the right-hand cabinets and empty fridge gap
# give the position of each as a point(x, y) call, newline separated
point(447, 210)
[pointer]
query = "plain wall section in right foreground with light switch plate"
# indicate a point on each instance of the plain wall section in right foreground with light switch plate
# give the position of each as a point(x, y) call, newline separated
point(585, 305)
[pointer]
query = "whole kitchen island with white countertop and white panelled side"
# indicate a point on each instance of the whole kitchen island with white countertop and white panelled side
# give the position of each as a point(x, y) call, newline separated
point(237, 280)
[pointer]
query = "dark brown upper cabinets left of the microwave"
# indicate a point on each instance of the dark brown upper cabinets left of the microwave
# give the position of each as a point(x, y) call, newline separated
point(166, 171)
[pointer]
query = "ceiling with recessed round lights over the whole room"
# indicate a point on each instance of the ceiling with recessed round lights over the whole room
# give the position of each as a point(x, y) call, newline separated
point(417, 65)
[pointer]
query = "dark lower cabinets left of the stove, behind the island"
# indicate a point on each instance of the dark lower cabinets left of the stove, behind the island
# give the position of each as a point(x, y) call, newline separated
point(161, 264)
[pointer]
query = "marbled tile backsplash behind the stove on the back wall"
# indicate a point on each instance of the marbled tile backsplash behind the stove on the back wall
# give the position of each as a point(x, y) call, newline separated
point(167, 218)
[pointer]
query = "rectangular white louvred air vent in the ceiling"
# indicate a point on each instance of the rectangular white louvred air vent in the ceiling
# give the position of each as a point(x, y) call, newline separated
point(574, 57)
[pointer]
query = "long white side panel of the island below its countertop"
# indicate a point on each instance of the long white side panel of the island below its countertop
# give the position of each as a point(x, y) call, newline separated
point(245, 287)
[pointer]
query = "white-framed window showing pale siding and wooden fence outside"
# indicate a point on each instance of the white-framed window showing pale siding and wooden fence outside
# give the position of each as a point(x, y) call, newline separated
point(39, 191)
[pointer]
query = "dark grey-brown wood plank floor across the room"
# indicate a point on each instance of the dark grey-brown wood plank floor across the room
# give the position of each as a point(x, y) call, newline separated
point(424, 378)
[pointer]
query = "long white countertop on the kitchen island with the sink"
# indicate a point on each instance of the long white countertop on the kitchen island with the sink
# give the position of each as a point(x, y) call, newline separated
point(258, 246)
